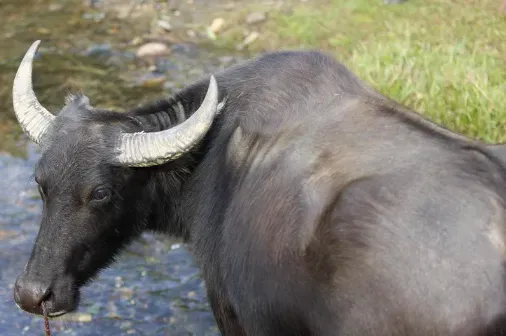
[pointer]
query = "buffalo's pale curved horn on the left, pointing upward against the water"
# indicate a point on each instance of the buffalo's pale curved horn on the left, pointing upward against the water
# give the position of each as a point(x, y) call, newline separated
point(32, 116)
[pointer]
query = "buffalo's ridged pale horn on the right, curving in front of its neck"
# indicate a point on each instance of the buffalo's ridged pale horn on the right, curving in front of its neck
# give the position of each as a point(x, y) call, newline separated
point(155, 148)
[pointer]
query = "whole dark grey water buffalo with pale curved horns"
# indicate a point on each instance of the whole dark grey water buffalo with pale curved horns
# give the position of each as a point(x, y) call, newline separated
point(315, 205)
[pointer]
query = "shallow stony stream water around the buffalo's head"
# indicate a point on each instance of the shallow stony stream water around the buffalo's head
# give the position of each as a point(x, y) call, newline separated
point(155, 287)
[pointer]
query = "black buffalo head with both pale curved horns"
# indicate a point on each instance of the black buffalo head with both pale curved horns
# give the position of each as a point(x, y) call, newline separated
point(94, 180)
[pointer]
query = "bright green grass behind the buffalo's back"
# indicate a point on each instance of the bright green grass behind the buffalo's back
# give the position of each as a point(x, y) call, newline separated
point(444, 58)
